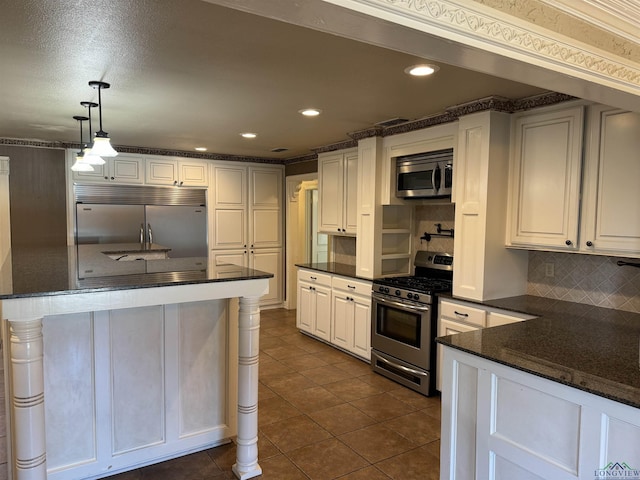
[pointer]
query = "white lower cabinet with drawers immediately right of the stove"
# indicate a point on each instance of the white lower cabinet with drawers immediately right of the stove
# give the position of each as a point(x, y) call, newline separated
point(455, 316)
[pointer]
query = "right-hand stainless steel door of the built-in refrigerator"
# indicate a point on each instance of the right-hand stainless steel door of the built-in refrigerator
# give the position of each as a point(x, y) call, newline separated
point(183, 229)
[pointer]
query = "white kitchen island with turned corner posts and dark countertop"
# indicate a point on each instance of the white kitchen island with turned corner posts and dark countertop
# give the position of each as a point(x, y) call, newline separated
point(112, 371)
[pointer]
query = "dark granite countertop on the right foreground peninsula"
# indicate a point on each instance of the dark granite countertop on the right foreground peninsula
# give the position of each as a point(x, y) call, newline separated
point(586, 347)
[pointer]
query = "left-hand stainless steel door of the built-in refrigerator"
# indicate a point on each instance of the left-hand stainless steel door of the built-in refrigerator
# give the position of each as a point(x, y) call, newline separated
point(101, 223)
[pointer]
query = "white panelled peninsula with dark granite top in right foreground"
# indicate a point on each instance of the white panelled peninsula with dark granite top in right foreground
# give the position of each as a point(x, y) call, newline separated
point(553, 397)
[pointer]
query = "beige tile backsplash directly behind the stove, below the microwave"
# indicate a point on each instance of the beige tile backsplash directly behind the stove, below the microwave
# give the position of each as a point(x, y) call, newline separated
point(425, 218)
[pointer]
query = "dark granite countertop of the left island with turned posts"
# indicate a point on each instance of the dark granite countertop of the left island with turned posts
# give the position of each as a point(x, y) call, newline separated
point(35, 272)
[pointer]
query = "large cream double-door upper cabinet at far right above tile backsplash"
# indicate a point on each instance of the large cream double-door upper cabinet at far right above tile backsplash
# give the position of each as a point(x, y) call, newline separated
point(559, 203)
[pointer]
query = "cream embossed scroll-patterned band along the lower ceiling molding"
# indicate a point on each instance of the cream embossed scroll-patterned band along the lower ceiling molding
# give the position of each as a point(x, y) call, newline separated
point(471, 20)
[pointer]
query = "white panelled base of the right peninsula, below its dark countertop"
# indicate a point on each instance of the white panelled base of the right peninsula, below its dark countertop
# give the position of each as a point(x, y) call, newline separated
point(502, 423)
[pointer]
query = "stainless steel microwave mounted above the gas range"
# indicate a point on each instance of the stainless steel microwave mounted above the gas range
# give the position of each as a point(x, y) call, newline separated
point(425, 175)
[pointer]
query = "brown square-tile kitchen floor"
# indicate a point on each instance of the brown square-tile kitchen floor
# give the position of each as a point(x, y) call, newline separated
point(322, 414)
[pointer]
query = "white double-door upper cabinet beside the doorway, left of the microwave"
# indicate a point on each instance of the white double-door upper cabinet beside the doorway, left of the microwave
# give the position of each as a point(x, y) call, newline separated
point(337, 188)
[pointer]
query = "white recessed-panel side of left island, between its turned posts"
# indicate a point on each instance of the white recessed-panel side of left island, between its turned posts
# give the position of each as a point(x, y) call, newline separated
point(135, 385)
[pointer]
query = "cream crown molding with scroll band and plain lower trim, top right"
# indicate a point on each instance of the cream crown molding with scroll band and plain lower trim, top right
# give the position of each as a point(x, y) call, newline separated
point(482, 27)
